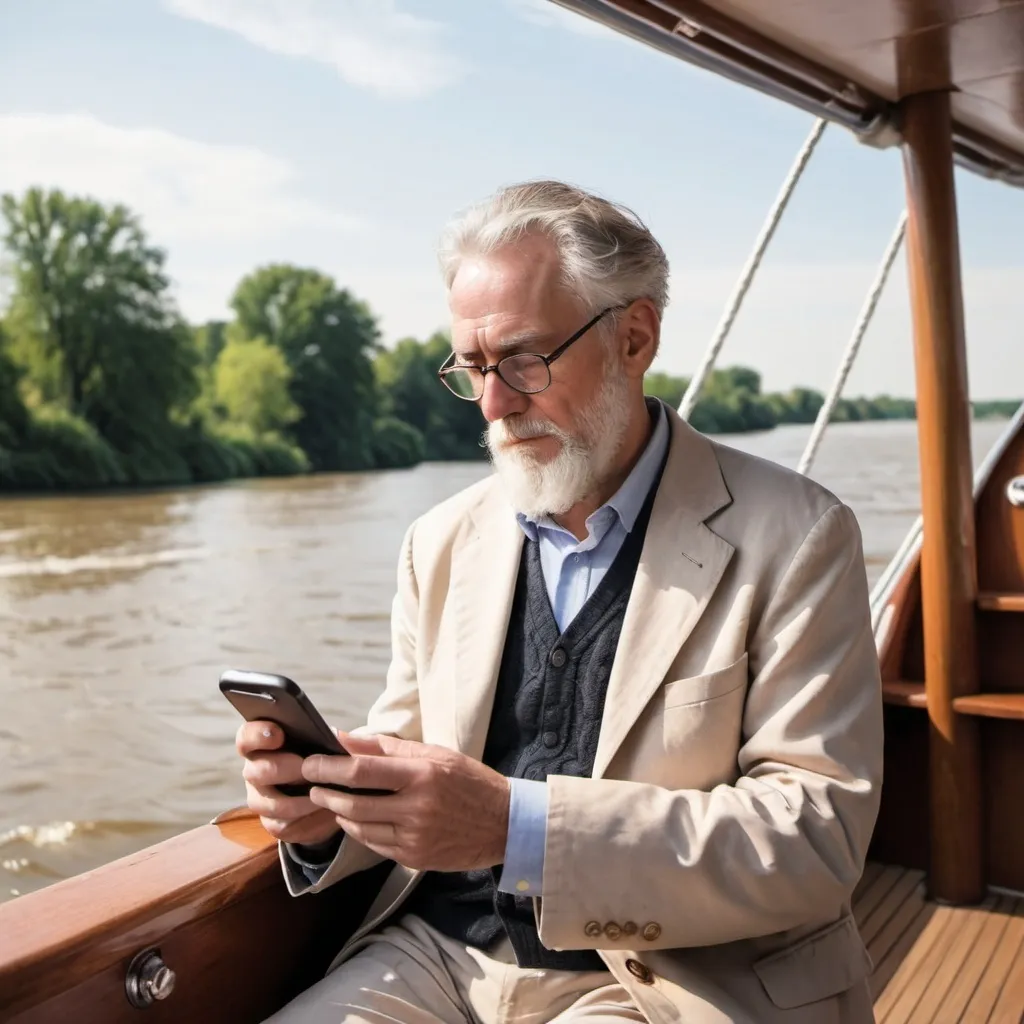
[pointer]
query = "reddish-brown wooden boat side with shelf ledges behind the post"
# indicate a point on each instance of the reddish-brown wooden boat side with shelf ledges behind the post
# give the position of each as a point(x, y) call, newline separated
point(997, 708)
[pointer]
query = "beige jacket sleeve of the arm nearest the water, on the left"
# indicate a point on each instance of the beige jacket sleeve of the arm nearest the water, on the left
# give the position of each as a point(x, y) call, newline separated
point(397, 713)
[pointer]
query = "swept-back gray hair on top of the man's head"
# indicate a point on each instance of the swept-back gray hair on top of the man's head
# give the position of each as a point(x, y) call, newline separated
point(608, 255)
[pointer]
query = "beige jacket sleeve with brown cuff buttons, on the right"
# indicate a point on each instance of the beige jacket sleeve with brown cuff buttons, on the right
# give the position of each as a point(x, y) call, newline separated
point(783, 846)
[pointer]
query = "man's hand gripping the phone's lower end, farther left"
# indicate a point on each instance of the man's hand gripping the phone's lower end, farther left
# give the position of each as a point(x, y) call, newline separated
point(292, 820)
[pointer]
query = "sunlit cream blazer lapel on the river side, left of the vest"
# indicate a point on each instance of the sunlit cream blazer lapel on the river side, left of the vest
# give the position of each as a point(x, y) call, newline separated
point(485, 567)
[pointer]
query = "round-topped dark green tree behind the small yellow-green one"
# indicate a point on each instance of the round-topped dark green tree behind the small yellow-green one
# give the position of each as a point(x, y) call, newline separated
point(329, 339)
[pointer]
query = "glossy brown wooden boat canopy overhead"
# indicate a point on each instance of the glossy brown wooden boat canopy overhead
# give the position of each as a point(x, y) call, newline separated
point(852, 62)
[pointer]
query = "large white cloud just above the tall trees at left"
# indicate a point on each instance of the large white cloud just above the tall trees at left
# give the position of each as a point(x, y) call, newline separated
point(183, 189)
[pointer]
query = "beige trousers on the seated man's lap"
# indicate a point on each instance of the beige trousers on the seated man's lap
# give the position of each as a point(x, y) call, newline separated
point(411, 974)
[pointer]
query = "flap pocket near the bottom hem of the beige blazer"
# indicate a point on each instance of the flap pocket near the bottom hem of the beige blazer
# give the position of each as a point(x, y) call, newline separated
point(822, 965)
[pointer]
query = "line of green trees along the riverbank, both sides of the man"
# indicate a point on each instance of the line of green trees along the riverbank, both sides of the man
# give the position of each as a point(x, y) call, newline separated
point(104, 383)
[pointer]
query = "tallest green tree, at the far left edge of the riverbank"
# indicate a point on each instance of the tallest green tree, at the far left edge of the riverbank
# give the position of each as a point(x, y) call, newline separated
point(94, 325)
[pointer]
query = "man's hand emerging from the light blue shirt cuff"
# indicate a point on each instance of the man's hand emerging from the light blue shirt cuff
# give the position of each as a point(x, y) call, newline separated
point(446, 813)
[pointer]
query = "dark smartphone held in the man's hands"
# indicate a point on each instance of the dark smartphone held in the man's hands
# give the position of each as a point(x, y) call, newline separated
point(264, 697)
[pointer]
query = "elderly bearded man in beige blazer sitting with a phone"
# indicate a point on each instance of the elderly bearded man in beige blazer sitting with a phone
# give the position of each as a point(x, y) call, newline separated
point(632, 728)
